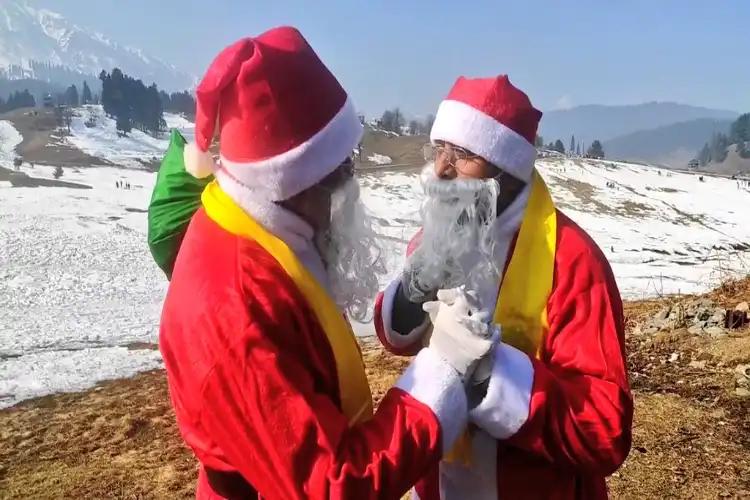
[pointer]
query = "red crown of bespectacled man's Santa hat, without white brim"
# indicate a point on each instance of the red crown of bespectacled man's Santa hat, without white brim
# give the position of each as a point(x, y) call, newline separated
point(499, 99)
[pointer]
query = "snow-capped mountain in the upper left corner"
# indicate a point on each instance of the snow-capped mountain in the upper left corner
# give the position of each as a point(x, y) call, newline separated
point(30, 35)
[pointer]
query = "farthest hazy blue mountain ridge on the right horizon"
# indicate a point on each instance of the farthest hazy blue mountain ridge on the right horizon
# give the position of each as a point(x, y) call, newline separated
point(604, 123)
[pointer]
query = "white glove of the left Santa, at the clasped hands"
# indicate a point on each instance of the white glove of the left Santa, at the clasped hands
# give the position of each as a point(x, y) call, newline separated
point(459, 336)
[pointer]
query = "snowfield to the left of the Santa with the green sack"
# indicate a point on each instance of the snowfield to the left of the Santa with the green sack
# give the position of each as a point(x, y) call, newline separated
point(77, 284)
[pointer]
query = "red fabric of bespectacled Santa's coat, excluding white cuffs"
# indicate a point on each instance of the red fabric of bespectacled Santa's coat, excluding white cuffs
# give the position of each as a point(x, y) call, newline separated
point(579, 427)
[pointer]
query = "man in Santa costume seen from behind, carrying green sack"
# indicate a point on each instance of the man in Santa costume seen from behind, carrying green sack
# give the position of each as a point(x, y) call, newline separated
point(265, 374)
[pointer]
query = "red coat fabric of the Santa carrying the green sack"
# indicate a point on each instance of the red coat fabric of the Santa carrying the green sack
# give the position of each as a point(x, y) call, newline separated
point(254, 386)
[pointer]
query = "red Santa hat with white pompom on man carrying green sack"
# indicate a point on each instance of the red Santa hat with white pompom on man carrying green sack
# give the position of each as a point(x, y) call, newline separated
point(284, 120)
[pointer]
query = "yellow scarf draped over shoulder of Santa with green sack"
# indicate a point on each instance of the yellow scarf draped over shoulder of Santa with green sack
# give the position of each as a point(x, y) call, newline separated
point(356, 399)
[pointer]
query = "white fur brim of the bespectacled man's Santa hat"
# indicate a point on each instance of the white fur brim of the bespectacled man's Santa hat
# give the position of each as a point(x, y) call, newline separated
point(467, 127)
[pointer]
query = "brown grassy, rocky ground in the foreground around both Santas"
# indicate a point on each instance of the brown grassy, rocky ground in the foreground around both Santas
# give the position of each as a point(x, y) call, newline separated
point(690, 376)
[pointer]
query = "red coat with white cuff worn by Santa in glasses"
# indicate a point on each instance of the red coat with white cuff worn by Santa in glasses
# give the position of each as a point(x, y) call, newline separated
point(553, 427)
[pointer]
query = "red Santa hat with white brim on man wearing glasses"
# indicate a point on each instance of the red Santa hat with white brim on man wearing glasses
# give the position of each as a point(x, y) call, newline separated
point(493, 119)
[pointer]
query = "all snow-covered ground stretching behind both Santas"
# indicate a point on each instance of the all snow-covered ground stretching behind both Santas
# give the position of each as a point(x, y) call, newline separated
point(79, 292)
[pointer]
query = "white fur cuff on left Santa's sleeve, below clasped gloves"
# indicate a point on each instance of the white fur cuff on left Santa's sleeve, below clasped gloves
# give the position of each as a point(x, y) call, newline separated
point(435, 383)
